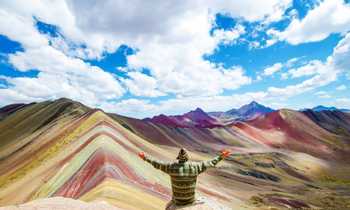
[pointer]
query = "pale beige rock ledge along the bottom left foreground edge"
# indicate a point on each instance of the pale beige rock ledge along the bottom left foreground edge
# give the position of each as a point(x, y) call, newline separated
point(60, 203)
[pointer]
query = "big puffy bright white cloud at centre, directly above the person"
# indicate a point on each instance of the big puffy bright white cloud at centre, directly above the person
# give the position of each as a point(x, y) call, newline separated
point(178, 65)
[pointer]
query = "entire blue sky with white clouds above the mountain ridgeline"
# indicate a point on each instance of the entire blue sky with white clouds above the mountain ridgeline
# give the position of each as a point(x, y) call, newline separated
point(140, 59)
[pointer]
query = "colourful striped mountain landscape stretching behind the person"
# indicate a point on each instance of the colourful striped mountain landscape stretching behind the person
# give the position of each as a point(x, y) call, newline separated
point(281, 158)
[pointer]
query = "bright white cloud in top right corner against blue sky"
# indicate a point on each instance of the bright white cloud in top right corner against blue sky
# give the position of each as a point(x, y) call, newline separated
point(331, 16)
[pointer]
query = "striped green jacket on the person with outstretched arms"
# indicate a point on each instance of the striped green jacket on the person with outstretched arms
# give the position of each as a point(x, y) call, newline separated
point(183, 177)
